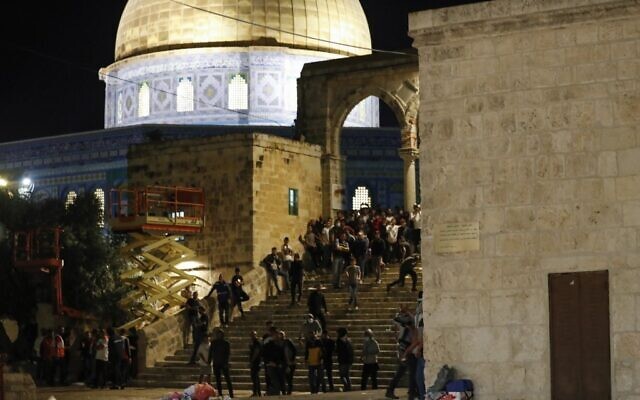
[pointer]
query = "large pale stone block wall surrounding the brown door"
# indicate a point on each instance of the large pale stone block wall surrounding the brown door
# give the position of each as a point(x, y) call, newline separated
point(529, 116)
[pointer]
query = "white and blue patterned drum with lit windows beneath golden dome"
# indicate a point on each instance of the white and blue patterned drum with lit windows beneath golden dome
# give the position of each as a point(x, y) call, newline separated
point(197, 87)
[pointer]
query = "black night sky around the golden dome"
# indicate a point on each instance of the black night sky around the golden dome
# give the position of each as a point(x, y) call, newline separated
point(44, 96)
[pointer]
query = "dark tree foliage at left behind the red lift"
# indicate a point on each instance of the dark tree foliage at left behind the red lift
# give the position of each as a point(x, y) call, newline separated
point(92, 264)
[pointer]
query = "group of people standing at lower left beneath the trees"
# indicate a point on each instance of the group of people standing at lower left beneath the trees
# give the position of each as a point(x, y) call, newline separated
point(106, 357)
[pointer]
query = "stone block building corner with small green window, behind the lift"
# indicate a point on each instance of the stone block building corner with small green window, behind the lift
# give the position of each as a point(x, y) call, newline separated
point(246, 179)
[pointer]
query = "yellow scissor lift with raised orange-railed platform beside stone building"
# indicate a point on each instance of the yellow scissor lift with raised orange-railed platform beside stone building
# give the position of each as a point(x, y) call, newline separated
point(156, 220)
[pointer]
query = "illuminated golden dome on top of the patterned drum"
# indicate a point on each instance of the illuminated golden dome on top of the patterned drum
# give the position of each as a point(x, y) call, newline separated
point(149, 26)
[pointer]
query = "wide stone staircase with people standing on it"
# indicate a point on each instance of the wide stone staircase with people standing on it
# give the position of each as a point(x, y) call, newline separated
point(377, 308)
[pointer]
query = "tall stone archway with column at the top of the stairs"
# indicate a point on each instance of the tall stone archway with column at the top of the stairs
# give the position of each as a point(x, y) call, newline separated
point(327, 91)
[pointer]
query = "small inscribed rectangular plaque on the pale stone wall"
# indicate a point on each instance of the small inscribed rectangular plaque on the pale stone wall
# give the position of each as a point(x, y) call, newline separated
point(457, 237)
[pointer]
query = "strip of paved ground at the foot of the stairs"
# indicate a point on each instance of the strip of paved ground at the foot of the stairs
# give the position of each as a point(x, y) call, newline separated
point(82, 393)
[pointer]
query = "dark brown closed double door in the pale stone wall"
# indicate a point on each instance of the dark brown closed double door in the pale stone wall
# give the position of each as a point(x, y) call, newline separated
point(579, 331)
